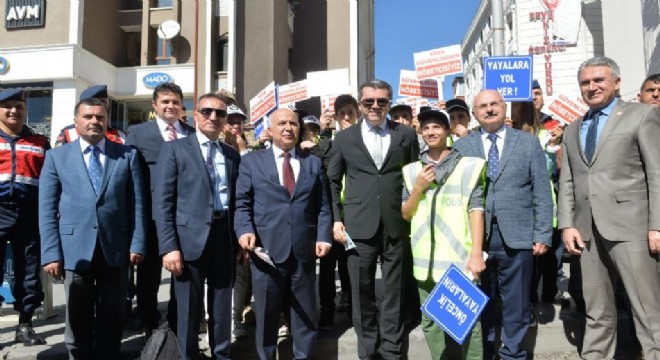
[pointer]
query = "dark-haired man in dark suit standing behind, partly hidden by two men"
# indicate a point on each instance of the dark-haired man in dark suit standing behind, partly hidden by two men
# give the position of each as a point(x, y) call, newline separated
point(148, 138)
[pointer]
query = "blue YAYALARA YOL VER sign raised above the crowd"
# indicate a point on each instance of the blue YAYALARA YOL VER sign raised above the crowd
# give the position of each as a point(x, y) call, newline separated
point(511, 76)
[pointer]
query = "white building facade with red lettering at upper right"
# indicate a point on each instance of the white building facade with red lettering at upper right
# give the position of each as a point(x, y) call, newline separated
point(561, 35)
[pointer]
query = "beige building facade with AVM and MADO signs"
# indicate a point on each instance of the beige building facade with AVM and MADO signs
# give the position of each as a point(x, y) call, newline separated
point(56, 49)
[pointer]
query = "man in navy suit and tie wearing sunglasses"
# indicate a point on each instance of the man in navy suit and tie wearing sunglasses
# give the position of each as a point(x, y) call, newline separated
point(193, 206)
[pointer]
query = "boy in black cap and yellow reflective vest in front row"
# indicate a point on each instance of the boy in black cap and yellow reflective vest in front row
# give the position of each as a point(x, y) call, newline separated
point(443, 198)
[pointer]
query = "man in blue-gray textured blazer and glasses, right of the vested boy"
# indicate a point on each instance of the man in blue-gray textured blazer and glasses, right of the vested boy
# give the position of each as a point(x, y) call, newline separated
point(518, 219)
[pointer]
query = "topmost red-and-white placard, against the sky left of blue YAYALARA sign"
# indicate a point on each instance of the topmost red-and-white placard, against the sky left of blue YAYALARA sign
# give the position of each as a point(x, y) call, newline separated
point(434, 63)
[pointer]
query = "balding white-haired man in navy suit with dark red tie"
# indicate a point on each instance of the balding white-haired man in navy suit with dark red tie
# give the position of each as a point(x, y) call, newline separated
point(282, 206)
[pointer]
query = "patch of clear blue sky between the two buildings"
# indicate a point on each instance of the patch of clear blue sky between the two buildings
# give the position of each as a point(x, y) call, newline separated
point(406, 27)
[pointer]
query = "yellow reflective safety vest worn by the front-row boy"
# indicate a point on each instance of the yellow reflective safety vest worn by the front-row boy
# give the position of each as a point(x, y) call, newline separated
point(440, 229)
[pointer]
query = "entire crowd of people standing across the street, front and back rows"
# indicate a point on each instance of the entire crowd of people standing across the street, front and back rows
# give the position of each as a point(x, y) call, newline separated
point(240, 226)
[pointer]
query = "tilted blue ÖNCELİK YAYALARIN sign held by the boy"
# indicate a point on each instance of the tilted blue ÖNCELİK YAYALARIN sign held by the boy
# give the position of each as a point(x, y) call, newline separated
point(455, 304)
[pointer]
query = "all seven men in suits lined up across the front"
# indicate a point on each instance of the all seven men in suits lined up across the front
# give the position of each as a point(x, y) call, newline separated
point(189, 199)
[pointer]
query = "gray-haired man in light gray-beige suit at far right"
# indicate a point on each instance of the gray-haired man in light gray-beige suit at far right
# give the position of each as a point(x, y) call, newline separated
point(609, 190)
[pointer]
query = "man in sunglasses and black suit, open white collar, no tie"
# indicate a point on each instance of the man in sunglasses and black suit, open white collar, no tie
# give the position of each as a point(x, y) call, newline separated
point(369, 158)
